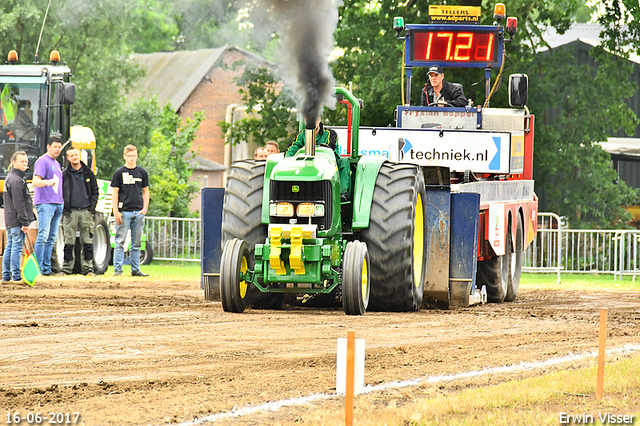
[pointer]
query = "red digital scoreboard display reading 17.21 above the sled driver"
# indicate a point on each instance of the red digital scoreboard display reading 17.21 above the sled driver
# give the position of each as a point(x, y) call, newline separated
point(463, 46)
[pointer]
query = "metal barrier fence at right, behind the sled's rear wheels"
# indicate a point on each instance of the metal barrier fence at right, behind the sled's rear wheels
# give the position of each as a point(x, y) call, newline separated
point(559, 249)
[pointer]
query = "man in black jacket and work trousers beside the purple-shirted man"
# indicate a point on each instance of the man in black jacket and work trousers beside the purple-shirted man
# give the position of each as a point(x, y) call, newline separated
point(80, 194)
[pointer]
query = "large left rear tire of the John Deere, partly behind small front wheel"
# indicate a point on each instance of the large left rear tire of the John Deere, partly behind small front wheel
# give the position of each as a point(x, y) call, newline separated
point(242, 218)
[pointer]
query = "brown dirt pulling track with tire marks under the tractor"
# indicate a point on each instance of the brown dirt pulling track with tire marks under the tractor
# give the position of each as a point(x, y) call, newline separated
point(137, 351)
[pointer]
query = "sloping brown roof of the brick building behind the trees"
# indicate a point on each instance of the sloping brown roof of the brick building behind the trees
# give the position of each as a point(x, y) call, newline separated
point(173, 76)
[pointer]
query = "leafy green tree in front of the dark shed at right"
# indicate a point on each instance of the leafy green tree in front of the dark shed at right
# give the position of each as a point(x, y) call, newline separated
point(573, 175)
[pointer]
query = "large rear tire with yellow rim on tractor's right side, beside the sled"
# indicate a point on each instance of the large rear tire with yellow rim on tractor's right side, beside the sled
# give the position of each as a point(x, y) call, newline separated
point(395, 239)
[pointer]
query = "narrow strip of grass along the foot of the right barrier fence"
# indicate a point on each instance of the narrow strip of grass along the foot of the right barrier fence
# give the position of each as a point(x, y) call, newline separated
point(578, 282)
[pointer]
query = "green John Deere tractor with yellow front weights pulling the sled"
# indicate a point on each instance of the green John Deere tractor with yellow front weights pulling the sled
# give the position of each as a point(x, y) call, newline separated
point(286, 230)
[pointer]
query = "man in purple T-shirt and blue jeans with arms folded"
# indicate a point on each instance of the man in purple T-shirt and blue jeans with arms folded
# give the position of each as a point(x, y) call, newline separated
point(47, 191)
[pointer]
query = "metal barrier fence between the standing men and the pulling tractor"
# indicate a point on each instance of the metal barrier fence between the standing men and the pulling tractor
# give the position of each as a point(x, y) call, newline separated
point(174, 238)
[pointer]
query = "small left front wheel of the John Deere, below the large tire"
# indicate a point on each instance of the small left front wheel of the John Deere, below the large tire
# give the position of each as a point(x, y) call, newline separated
point(233, 290)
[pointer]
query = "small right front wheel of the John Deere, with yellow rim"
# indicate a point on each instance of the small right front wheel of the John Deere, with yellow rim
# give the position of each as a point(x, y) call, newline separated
point(355, 278)
